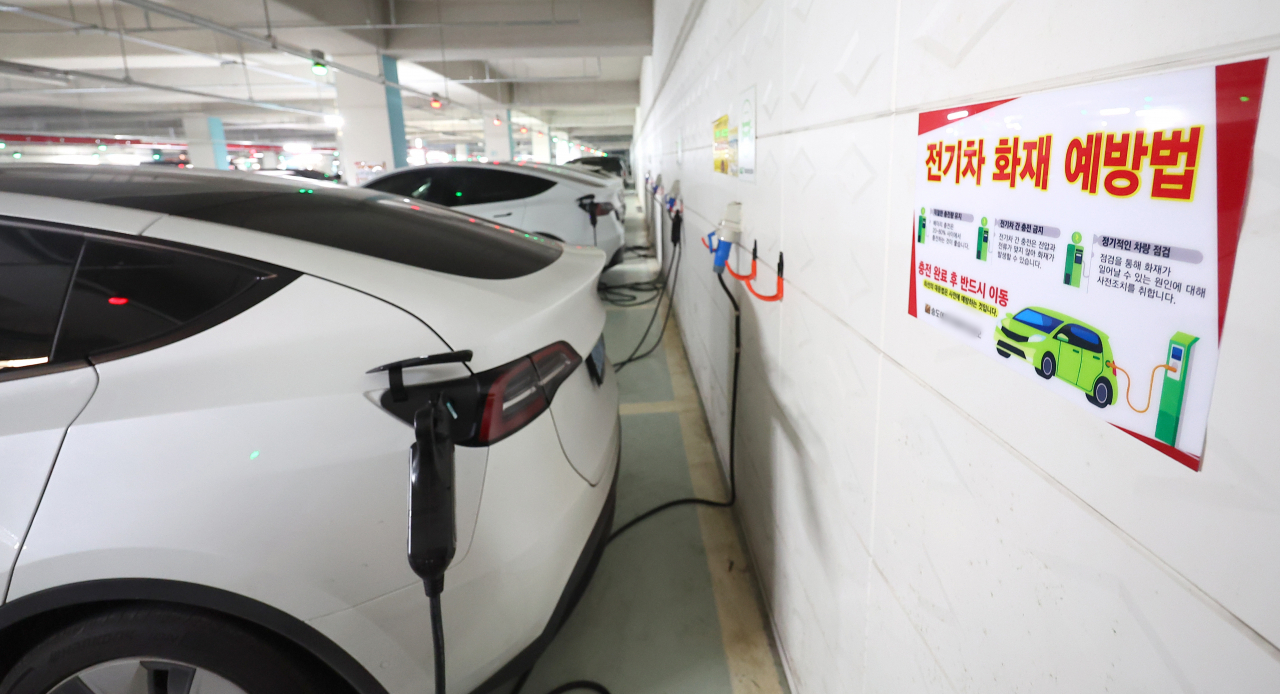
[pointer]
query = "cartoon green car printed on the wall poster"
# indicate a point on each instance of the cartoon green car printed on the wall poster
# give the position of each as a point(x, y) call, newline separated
point(1058, 345)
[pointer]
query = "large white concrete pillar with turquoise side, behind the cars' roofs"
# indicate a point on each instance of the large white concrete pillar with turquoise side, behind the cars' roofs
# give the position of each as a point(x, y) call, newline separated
point(372, 138)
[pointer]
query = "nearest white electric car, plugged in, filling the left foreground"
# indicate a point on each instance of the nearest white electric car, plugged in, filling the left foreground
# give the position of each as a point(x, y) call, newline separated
point(203, 488)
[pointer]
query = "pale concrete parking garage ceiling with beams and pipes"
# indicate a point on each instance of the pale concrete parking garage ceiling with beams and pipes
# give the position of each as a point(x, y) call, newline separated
point(135, 67)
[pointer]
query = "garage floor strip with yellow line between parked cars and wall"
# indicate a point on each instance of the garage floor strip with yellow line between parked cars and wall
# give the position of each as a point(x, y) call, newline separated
point(674, 608)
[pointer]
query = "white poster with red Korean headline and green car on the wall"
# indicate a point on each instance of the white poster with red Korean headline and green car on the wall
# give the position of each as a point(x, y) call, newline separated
point(1087, 238)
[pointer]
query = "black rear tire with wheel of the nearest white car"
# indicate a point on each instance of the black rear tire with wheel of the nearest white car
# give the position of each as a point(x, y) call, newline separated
point(159, 645)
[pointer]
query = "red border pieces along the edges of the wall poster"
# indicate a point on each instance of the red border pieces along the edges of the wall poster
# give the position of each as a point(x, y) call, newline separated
point(1238, 92)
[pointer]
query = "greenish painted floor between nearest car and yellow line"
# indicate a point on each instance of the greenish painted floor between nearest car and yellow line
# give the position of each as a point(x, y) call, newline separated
point(648, 622)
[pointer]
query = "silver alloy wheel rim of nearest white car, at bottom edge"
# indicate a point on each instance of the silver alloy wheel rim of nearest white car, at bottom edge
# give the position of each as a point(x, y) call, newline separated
point(145, 677)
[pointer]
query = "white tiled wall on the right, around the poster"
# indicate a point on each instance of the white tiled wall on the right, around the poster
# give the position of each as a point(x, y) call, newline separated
point(916, 531)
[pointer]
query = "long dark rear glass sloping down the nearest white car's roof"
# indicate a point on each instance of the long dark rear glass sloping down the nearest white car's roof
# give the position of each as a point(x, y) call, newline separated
point(353, 220)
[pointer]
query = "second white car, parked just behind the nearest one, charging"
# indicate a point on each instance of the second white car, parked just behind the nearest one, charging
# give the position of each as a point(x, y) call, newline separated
point(574, 206)
